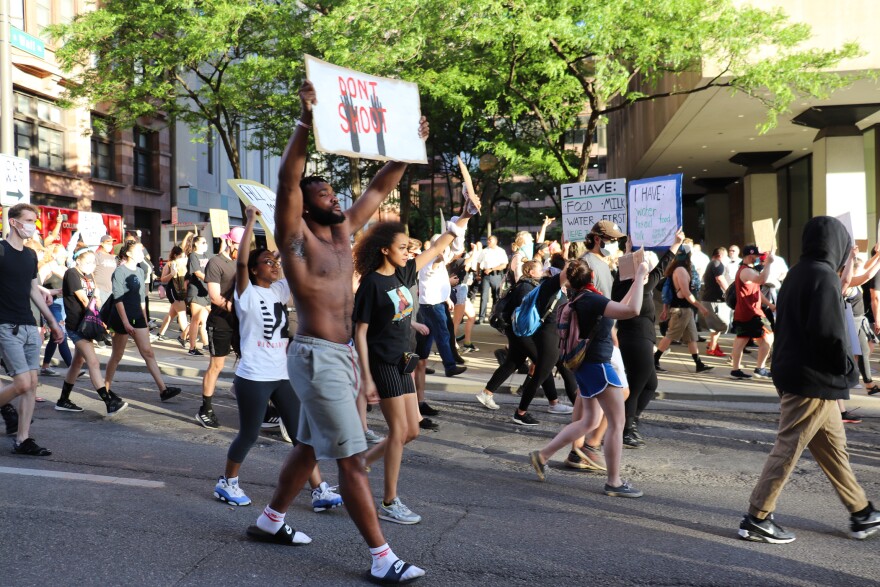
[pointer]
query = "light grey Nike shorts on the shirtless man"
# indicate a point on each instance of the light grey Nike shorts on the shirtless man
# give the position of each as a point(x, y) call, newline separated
point(325, 377)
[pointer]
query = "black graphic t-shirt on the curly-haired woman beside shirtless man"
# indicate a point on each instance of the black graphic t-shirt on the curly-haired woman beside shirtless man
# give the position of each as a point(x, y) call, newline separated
point(386, 304)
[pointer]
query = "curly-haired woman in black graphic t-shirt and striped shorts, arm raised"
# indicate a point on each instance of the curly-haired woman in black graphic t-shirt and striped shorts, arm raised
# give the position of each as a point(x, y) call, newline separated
point(383, 316)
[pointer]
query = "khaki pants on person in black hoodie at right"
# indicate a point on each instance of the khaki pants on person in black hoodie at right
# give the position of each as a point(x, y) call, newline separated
point(807, 423)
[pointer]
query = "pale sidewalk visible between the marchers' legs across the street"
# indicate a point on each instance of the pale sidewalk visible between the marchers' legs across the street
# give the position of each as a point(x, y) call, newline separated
point(680, 383)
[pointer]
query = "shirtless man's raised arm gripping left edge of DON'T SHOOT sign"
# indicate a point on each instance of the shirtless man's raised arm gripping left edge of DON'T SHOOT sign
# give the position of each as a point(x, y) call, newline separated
point(289, 202)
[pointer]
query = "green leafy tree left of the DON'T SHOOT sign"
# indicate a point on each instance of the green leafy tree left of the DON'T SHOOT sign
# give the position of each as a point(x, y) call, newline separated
point(218, 66)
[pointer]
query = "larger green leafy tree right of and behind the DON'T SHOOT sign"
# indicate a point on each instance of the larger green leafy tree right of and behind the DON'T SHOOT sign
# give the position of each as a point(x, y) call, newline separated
point(526, 70)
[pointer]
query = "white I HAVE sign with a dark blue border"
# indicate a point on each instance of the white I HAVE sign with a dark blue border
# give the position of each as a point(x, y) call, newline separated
point(654, 210)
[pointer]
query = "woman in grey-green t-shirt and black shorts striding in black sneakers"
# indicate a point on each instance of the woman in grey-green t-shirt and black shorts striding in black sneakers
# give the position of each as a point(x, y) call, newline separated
point(128, 319)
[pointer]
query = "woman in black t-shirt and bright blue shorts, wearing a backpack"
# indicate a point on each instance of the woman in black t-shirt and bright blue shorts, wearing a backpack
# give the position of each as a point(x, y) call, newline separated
point(600, 387)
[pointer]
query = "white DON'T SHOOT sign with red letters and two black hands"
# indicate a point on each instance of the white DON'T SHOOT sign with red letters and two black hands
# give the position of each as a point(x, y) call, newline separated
point(364, 116)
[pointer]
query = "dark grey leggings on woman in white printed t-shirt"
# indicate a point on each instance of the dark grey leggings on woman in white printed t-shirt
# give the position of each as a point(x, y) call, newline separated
point(253, 398)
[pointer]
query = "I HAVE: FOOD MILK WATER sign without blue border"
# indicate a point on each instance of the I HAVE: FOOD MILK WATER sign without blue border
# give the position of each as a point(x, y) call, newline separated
point(585, 204)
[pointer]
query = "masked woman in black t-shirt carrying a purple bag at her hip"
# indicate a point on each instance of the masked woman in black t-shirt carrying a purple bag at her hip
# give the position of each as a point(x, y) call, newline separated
point(78, 290)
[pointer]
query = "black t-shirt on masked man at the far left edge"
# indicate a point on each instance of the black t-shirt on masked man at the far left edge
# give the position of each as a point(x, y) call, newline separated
point(19, 269)
